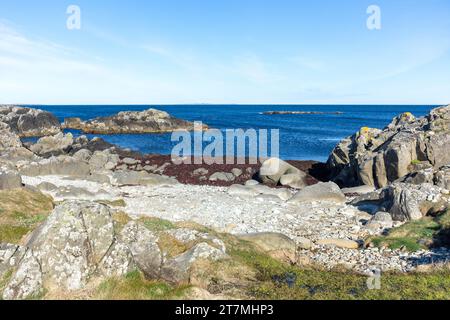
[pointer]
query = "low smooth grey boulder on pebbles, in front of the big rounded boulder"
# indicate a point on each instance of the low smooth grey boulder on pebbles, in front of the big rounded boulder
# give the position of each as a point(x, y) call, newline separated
point(319, 192)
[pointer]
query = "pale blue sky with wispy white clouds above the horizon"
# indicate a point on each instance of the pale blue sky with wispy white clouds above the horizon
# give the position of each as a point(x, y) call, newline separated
point(225, 51)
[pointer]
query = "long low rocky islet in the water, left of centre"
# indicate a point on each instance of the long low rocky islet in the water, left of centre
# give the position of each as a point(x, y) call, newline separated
point(148, 121)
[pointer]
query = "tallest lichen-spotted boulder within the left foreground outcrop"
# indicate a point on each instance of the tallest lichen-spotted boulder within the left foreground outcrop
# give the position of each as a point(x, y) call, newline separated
point(64, 251)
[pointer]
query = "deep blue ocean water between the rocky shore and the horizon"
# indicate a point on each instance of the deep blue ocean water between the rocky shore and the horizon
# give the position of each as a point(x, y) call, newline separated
point(302, 137)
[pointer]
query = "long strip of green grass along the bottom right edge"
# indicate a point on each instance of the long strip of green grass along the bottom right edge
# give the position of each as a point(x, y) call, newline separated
point(276, 280)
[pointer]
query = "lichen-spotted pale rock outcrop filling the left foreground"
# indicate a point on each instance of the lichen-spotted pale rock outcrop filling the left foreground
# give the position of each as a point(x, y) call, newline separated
point(80, 241)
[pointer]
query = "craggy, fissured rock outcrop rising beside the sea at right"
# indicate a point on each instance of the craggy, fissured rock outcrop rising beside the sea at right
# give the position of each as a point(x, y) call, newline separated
point(379, 157)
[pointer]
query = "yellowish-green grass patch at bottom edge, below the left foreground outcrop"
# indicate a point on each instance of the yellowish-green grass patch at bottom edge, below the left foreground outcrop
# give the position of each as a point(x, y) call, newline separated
point(134, 286)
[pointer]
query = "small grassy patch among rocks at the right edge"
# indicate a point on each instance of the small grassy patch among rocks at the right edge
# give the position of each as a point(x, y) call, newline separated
point(415, 235)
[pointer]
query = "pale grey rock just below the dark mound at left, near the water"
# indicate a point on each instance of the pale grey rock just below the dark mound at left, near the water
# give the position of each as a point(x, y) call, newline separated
point(53, 145)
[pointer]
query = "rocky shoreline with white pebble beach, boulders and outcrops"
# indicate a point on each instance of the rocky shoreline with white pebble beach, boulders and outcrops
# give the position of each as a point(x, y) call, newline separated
point(296, 211)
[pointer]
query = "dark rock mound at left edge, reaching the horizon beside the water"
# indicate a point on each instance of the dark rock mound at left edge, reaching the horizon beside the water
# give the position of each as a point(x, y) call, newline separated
point(28, 122)
